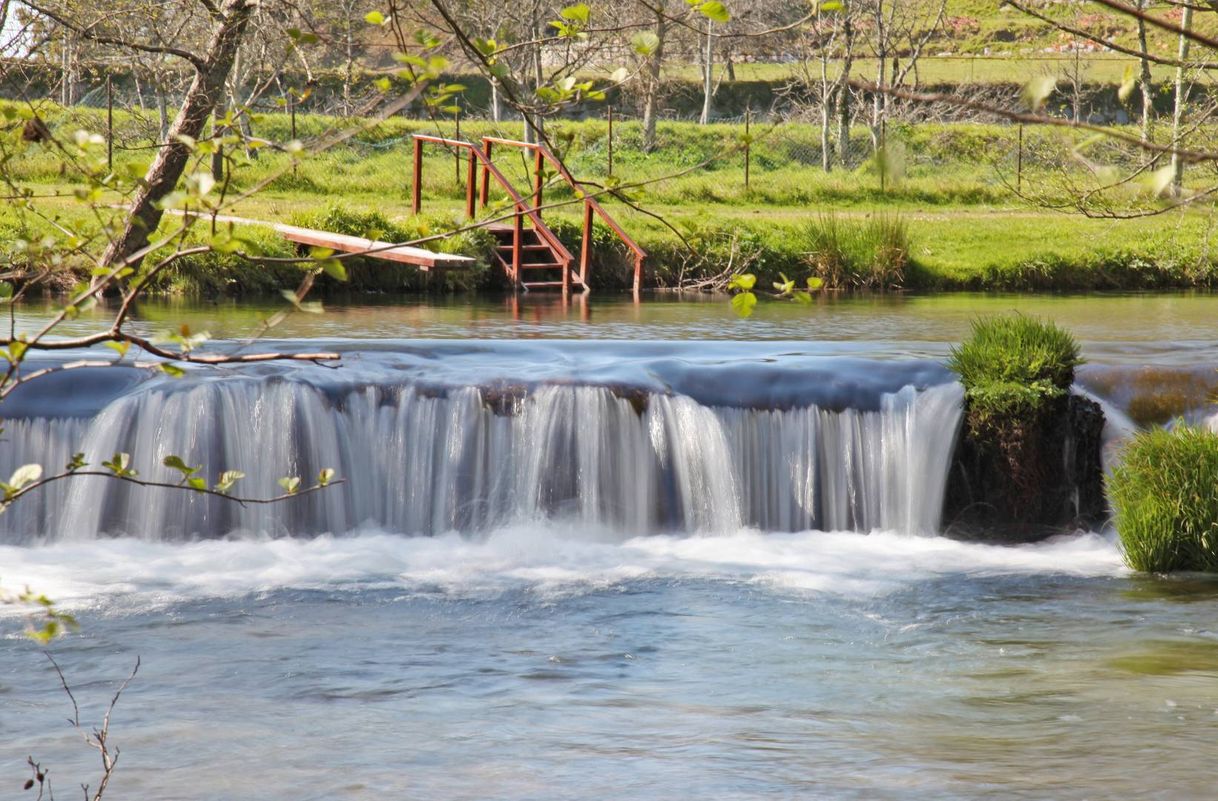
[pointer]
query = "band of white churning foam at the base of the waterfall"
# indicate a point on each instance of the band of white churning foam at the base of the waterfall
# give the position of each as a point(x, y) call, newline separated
point(547, 559)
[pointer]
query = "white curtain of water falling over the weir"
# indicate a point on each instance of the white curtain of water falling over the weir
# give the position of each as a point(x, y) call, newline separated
point(420, 462)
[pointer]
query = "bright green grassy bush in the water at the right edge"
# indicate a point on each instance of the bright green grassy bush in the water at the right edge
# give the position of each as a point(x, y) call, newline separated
point(1165, 495)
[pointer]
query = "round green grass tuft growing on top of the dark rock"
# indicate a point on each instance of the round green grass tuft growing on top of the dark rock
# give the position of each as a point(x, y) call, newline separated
point(1015, 365)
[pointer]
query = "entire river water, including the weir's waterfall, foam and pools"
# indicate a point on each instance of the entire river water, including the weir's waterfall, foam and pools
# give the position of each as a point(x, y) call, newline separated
point(600, 551)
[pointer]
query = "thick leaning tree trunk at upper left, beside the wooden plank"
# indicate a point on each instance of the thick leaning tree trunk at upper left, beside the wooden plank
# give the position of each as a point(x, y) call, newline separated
point(205, 93)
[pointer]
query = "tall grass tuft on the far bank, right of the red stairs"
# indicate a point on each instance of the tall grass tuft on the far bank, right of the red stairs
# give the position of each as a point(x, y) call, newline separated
point(870, 254)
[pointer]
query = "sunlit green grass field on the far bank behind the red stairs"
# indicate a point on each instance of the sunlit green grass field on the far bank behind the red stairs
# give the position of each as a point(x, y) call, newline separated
point(966, 227)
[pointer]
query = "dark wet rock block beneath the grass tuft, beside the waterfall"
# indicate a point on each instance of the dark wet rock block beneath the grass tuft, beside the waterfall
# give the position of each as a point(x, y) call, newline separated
point(1024, 480)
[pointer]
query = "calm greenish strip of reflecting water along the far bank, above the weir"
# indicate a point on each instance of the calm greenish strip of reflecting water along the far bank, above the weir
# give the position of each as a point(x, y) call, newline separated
point(904, 324)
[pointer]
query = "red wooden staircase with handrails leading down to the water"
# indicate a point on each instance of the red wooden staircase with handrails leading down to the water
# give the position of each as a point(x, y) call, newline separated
point(528, 250)
